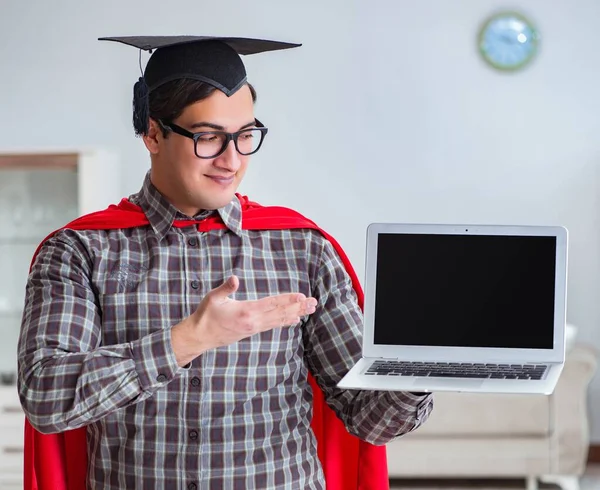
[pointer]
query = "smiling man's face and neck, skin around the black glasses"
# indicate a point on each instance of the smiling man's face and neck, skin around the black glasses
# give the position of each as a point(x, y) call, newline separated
point(190, 183)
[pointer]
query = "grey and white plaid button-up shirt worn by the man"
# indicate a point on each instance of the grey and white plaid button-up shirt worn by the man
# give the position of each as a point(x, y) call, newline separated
point(95, 350)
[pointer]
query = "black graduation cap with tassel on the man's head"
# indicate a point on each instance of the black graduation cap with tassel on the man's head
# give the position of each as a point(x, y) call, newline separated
point(210, 59)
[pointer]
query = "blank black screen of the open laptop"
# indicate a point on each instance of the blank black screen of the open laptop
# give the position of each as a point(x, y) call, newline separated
point(465, 290)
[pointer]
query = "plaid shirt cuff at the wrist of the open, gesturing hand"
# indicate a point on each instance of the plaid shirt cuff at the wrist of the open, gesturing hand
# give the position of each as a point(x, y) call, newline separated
point(155, 361)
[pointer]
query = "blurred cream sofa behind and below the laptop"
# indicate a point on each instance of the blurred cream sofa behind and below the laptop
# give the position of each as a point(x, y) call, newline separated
point(486, 436)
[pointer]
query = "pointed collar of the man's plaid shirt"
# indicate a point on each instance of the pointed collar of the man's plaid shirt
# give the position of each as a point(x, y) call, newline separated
point(161, 213)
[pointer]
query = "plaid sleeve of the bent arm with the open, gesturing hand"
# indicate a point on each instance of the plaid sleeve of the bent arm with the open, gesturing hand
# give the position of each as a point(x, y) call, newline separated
point(66, 378)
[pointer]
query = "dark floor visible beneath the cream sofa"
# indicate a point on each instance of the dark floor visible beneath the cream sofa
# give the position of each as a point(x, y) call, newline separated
point(590, 481)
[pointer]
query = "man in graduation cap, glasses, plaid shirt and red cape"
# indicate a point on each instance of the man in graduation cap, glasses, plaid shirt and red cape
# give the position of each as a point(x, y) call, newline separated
point(181, 328)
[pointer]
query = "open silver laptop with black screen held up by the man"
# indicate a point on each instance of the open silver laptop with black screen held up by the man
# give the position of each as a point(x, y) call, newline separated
point(463, 308)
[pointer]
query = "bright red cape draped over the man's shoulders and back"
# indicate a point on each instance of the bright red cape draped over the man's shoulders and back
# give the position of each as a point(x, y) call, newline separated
point(59, 461)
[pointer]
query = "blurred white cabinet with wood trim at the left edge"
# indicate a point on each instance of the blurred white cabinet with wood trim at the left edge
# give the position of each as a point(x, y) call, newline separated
point(39, 193)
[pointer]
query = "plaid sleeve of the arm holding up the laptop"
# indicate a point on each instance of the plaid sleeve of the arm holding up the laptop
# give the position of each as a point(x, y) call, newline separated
point(332, 338)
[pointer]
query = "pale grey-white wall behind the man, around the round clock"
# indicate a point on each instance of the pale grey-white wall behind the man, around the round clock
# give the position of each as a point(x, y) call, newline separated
point(385, 113)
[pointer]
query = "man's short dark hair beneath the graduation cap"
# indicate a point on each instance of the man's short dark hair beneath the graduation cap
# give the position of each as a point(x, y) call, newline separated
point(168, 101)
